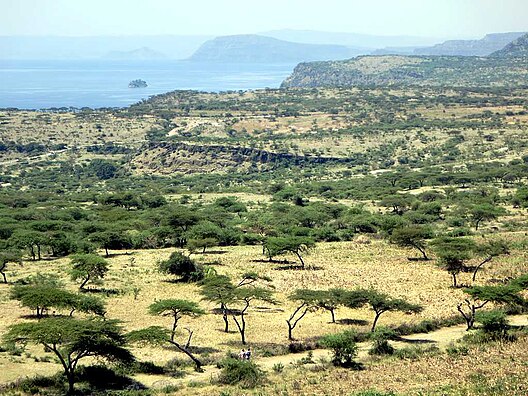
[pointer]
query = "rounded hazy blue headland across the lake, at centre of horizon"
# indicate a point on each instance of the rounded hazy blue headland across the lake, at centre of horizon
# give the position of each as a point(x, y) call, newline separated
point(260, 49)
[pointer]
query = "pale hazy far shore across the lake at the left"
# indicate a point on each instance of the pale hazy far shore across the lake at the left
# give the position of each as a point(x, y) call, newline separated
point(28, 47)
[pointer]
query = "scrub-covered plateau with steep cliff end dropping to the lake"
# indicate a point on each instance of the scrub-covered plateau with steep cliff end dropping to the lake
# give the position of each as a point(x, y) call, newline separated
point(411, 70)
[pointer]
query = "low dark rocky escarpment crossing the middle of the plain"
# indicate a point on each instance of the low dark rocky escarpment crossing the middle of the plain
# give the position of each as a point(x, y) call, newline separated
point(179, 157)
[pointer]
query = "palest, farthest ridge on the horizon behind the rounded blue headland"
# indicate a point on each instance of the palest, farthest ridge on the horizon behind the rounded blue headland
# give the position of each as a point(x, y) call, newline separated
point(365, 41)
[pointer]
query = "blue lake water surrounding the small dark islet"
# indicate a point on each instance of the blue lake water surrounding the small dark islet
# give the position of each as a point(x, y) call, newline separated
point(103, 83)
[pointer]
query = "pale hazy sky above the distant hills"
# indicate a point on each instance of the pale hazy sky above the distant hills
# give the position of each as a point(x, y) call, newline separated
point(432, 18)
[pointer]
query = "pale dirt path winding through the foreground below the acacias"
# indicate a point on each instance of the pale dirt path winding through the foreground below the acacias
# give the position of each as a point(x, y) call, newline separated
point(441, 338)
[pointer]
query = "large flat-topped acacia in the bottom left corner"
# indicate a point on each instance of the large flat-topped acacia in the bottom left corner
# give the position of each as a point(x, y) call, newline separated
point(72, 340)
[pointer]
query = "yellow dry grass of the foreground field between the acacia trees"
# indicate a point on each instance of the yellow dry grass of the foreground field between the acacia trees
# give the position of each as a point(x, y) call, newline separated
point(341, 264)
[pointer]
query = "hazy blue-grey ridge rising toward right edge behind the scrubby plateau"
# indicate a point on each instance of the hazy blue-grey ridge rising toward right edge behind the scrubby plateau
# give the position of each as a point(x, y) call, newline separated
point(483, 47)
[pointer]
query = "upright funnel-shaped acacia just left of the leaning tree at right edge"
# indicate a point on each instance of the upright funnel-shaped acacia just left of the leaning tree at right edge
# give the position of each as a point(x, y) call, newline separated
point(452, 254)
